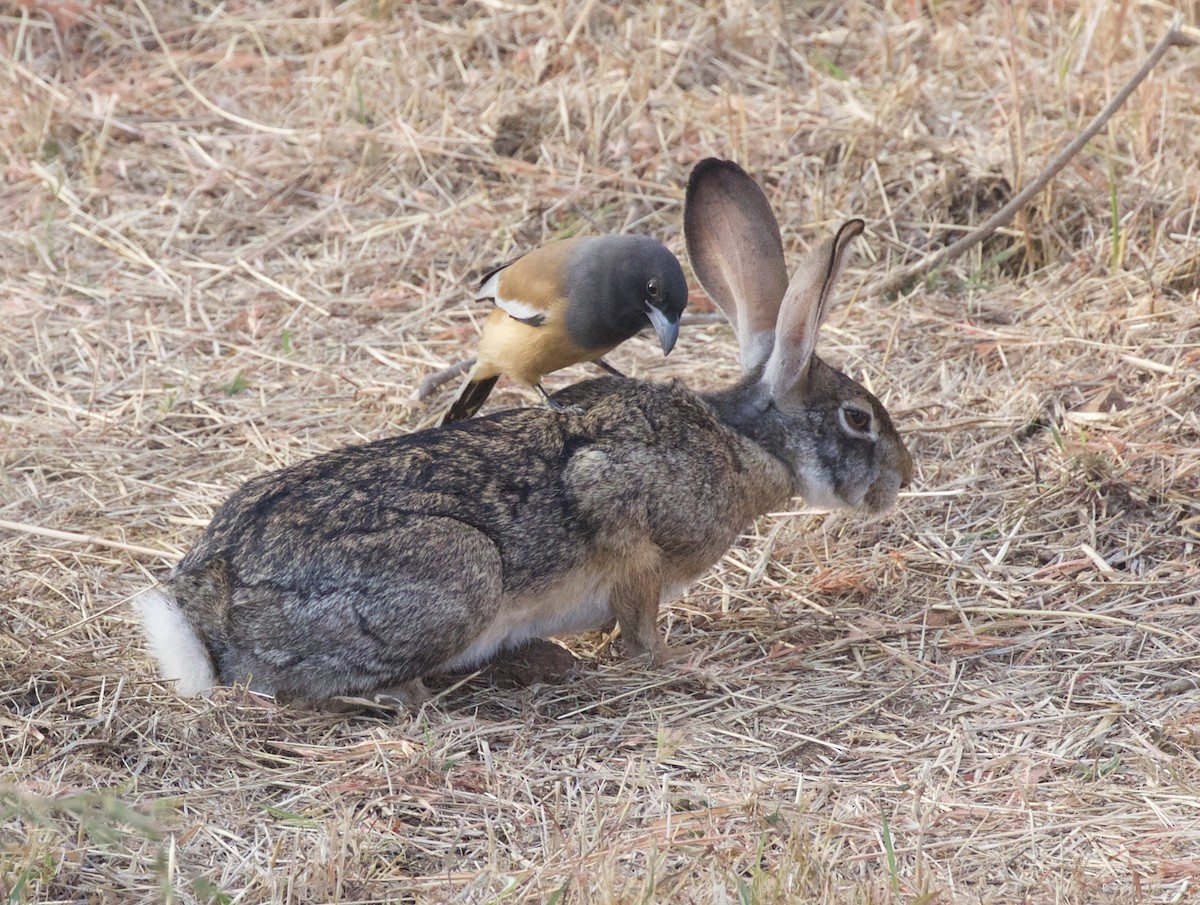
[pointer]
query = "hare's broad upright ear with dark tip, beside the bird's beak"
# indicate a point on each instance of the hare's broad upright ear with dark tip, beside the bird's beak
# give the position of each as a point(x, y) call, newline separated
point(736, 251)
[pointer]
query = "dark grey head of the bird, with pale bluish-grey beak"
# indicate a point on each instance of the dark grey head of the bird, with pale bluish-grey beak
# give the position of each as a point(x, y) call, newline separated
point(619, 285)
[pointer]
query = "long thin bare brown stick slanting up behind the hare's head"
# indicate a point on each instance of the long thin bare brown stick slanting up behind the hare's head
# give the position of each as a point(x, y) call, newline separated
point(1174, 38)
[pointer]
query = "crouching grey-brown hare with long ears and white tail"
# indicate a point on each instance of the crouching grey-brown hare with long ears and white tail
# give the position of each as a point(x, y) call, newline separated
point(367, 570)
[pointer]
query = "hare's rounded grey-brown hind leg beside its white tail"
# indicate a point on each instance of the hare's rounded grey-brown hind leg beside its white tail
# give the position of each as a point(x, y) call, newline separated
point(379, 612)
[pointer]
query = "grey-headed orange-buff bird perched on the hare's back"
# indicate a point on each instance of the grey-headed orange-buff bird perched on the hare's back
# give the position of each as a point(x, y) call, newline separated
point(569, 302)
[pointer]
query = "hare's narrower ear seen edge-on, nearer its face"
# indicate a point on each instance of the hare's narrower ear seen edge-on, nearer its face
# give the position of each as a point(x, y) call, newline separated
point(805, 310)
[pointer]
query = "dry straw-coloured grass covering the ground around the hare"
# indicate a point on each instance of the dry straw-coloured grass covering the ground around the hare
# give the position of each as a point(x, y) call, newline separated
point(239, 235)
